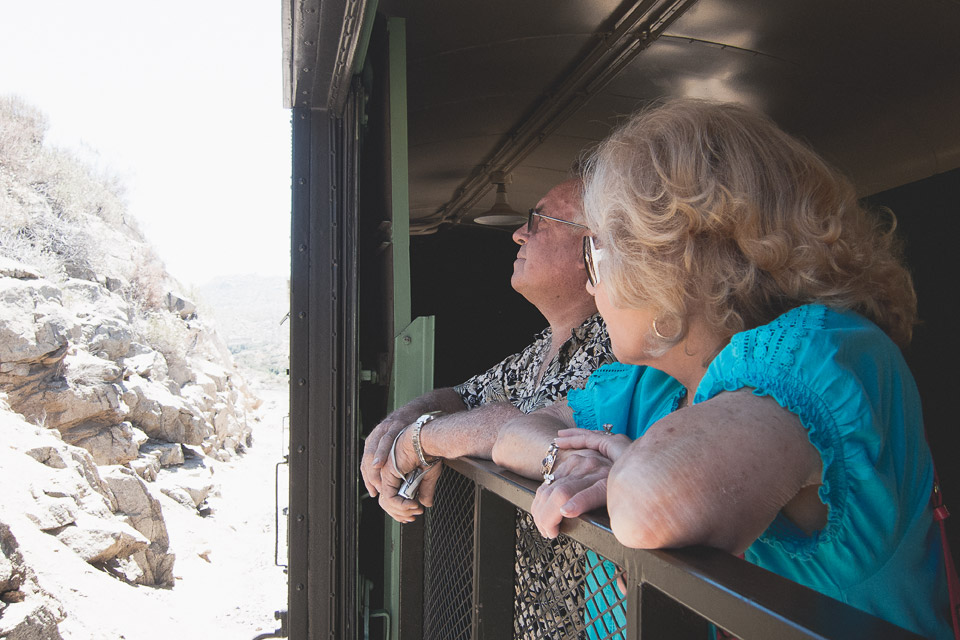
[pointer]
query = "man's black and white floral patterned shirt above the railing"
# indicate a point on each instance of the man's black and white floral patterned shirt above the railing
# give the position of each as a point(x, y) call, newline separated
point(515, 378)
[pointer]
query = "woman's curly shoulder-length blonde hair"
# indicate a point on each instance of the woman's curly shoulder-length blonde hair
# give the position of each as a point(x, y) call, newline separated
point(709, 208)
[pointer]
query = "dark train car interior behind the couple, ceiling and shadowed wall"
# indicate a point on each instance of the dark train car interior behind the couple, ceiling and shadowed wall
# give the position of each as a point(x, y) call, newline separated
point(509, 87)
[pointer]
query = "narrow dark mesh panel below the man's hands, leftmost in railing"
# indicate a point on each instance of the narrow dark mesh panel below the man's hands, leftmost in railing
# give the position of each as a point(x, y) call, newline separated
point(448, 560)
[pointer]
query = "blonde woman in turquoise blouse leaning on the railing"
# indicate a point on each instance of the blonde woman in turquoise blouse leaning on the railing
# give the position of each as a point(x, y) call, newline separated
point(776, 415)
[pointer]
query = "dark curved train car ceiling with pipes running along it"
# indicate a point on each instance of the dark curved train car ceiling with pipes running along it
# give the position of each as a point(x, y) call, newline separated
point(524, 87)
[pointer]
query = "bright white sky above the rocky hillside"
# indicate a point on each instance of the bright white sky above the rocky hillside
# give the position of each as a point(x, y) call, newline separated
point(183, 99)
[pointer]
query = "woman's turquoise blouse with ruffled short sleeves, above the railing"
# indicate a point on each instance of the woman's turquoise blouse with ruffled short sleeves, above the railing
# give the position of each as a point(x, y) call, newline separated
point(852, 390)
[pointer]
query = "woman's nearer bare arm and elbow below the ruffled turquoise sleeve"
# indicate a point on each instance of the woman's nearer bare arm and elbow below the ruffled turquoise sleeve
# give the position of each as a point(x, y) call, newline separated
point(716, 474)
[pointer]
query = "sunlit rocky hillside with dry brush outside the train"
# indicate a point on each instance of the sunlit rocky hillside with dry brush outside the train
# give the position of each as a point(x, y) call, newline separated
point(111, 385)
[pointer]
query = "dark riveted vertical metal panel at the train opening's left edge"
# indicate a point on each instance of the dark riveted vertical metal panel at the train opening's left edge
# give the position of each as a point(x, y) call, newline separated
point(323, 432)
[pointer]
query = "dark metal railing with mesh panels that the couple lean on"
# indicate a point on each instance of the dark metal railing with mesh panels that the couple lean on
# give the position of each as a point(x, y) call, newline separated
point(489, 574)
